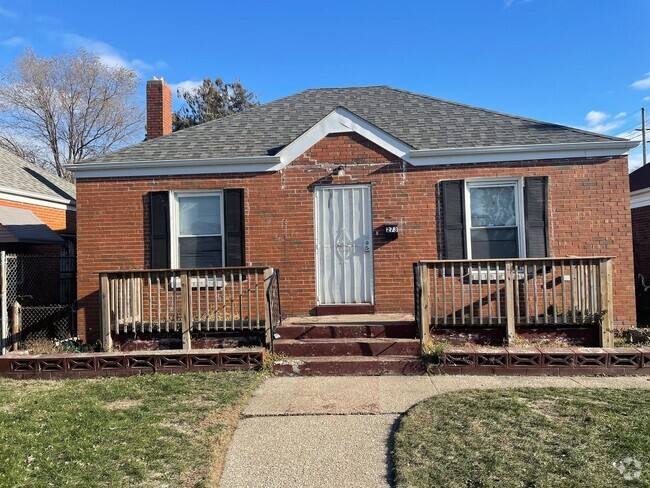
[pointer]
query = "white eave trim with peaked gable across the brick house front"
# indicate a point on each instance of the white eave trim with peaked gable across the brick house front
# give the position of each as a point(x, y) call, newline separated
point(339, 121)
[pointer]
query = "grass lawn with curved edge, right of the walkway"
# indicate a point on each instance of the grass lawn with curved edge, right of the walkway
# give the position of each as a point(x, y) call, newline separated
point(525, 438)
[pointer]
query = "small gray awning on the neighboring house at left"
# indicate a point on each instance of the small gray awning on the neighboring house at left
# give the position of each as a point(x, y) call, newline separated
point(20, 225)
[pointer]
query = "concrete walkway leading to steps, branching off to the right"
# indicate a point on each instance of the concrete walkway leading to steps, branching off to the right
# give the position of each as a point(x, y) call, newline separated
point(337, 431)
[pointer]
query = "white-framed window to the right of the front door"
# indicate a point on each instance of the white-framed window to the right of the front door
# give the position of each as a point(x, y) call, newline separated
point(494, 218)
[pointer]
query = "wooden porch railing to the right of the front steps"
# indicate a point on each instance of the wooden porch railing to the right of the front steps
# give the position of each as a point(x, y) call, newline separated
point(515, 292)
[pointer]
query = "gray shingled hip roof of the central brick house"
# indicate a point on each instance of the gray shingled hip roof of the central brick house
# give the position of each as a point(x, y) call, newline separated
point(420, 121)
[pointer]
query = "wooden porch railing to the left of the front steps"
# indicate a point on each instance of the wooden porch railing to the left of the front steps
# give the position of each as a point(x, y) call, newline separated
point(187, 300)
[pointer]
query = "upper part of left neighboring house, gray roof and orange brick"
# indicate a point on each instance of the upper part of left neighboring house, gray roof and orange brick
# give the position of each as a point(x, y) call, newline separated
point(37, 209)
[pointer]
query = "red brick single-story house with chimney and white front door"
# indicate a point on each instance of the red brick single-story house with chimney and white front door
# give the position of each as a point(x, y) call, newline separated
point(343, 189)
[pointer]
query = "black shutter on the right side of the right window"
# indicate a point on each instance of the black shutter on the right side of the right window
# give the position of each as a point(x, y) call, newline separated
point(536, 215)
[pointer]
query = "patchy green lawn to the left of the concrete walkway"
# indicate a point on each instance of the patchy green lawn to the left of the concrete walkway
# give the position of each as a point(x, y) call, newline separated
point(155, 430)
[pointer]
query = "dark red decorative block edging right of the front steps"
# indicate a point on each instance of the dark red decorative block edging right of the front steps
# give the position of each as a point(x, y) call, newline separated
point(544, 361)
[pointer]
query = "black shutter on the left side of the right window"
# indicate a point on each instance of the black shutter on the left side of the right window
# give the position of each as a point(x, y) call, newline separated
point(453, 204)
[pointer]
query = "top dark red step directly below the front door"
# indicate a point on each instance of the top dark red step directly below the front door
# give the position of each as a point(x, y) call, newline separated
point(400, 330)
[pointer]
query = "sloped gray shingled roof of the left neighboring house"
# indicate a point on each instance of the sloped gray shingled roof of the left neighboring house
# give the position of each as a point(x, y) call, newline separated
point(18, 174)
